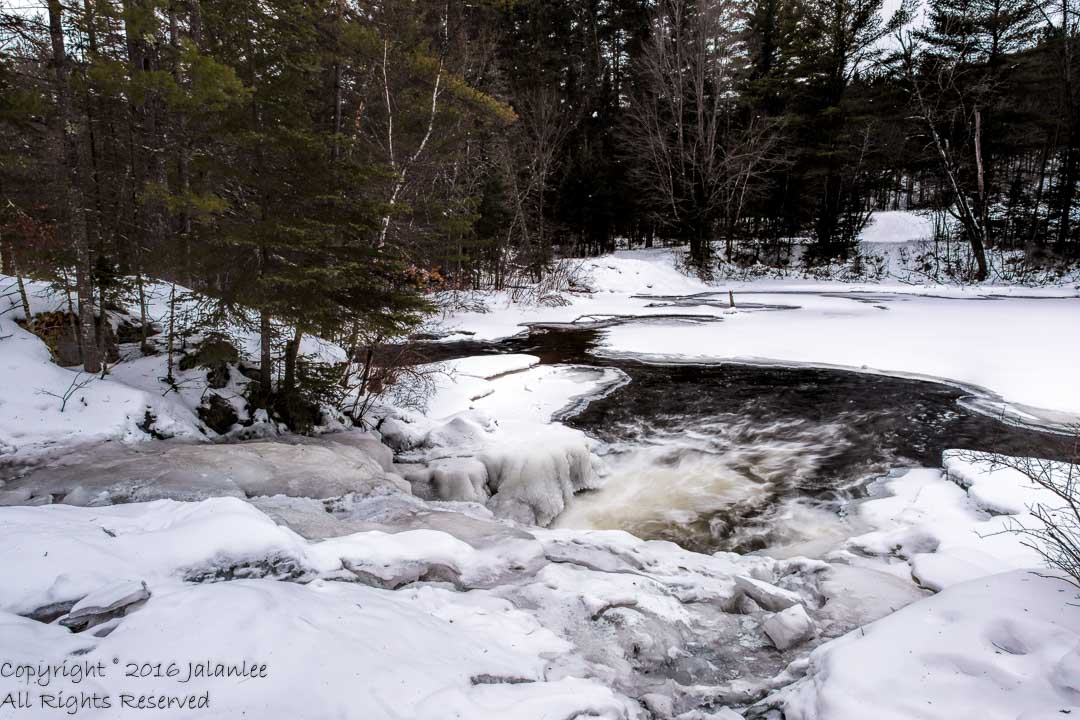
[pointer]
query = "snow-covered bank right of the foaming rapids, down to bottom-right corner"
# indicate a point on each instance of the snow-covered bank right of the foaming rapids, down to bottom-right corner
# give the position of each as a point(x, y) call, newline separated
point(998, 641)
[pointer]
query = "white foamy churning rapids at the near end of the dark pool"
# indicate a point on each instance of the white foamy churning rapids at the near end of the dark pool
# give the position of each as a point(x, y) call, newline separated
point(722, 484)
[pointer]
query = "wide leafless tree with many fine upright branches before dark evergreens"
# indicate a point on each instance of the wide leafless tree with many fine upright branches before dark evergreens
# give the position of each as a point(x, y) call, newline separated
point(695, 161)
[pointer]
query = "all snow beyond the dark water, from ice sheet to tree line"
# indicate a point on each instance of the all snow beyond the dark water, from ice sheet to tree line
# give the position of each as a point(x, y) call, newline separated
point(1006, 344)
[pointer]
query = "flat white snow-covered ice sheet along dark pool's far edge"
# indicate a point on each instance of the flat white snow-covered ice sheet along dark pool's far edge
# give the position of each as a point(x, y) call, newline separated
point(960, 341)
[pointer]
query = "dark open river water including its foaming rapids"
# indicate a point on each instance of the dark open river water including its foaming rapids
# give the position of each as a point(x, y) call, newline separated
point(748, 458)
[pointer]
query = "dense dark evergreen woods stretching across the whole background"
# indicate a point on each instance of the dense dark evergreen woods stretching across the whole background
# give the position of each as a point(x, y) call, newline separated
point(328, 164)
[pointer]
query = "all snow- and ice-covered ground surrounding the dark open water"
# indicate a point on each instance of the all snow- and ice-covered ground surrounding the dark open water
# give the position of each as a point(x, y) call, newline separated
point(413, 572)
